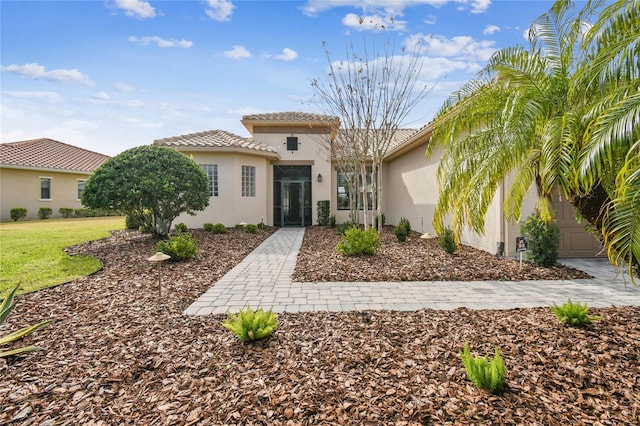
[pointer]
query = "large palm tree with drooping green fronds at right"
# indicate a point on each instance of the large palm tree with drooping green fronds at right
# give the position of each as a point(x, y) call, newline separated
point(561, 114)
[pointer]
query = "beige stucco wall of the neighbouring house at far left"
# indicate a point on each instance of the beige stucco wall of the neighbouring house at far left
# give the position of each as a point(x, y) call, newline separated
point(21, 188)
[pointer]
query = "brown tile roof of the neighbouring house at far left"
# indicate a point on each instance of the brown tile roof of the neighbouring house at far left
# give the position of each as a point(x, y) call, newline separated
point(49, 154)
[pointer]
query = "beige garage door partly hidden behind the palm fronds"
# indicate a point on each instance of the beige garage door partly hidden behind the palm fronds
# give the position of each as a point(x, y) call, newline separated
point(574, 240)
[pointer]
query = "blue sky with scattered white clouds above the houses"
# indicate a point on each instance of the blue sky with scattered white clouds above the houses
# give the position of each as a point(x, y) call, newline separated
point(110, 75)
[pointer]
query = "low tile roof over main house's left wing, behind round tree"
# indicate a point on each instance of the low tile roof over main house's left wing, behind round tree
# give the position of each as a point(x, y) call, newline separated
point(213, 139)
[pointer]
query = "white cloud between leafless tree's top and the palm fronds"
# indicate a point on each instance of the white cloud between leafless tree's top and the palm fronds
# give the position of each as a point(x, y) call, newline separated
point(459, 46)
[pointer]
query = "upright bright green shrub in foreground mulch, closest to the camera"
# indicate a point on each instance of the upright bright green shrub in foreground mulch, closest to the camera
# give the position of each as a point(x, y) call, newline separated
point(484, 374)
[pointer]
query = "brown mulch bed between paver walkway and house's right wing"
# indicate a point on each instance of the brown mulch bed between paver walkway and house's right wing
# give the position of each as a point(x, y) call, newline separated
point(413, 260)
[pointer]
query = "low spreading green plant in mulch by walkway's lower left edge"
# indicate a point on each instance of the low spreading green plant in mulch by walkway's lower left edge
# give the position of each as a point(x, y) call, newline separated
point(249, 325)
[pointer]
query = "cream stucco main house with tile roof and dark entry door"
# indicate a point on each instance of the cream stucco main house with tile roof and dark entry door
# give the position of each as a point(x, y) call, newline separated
point(281, 172)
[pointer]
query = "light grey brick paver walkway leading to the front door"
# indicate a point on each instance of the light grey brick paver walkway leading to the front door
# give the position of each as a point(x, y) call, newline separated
point(263, 279)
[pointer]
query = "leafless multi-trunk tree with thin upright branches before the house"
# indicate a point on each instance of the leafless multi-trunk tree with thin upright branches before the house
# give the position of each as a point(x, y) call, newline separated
point(372, 93)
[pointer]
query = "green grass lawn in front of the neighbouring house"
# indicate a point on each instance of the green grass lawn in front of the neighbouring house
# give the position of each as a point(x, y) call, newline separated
point(32, 252)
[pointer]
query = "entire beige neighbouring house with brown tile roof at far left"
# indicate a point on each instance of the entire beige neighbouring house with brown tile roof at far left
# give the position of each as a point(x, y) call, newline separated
point(43, 173)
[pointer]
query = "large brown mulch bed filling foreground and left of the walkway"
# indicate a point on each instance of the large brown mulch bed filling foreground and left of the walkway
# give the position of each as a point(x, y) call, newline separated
point(117, 353)
